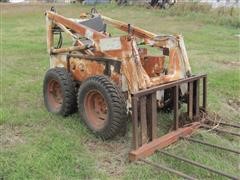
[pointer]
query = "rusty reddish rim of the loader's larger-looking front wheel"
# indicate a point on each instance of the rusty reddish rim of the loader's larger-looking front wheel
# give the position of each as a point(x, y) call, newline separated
point(96, 109)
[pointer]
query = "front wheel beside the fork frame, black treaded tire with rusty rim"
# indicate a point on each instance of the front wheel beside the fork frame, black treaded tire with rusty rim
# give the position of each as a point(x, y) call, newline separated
point(102, 107)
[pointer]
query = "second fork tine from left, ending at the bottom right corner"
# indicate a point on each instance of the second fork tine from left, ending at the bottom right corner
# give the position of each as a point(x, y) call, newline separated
point(199, 165)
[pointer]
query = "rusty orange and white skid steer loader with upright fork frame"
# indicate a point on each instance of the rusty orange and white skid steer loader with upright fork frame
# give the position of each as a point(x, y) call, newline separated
point(108, 78)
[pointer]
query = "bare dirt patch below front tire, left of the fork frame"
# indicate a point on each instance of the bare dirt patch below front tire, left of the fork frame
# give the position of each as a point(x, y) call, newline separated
point(111, 156)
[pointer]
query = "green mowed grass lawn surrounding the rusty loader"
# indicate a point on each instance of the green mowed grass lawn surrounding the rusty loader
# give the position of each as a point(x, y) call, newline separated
point(38, 145)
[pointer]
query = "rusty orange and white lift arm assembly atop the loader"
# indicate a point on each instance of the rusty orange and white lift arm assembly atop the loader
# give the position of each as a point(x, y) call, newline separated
point(124, 49)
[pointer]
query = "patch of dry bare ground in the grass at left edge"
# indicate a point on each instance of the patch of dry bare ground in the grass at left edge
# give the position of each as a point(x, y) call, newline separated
point(10, 136)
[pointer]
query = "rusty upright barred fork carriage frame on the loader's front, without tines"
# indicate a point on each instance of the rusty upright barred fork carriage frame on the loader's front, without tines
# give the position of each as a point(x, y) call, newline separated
point(144, 116)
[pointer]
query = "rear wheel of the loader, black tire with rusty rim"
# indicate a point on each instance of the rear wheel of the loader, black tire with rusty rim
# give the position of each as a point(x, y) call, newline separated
point(59, 92)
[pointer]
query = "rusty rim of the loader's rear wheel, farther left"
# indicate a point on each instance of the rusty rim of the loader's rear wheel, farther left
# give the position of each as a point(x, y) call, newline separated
point(55, 97)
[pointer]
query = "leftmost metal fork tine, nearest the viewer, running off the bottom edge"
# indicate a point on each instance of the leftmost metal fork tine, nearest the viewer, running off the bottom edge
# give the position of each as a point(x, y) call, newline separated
point(159, 166)
